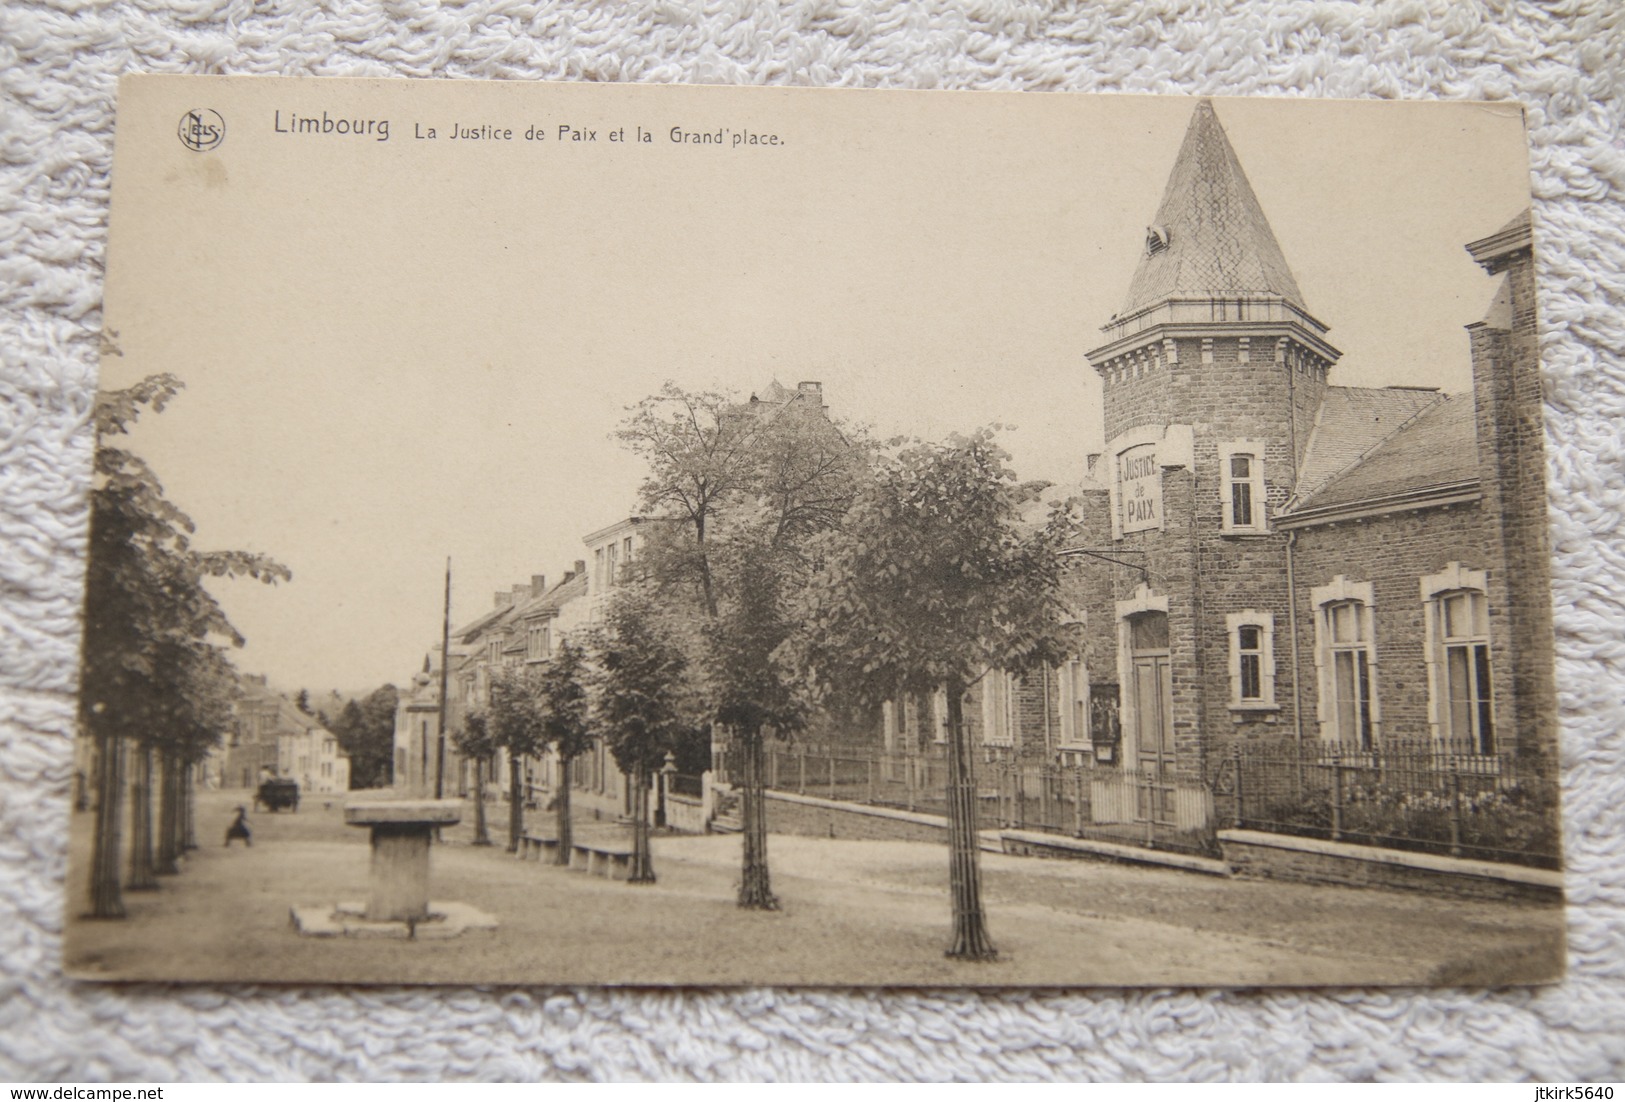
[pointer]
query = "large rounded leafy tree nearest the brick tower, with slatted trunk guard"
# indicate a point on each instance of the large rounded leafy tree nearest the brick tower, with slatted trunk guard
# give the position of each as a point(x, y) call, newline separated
point(937, 579)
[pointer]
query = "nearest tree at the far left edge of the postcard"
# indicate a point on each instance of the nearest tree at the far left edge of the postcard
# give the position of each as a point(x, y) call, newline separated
point(149, 622)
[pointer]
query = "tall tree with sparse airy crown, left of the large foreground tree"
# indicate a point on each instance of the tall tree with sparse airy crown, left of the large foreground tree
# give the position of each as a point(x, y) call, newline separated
point(747, 487)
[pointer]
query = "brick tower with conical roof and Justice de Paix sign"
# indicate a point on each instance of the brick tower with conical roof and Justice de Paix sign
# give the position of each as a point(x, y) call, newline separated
point(1213, 378)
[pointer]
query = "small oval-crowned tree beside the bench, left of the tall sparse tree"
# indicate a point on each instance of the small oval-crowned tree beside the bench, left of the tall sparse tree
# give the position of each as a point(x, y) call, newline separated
point(641, 701)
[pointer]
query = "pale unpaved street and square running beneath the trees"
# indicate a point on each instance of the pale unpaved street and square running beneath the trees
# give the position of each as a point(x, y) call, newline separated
point(851, 913)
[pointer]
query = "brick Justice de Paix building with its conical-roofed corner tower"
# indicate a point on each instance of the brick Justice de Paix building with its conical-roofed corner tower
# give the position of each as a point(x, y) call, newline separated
point(1283, 560)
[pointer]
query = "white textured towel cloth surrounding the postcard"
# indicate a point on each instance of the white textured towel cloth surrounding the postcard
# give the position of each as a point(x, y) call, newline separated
point(59, 63)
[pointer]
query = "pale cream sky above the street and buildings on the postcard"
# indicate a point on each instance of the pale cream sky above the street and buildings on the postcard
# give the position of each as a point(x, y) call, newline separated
point(399, 352)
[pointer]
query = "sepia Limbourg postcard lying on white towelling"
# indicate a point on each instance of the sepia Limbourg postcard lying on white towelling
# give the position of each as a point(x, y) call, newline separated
point(578, 534)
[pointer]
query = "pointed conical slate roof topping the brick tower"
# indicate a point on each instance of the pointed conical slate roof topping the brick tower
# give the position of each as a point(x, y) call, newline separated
point(1218, 238)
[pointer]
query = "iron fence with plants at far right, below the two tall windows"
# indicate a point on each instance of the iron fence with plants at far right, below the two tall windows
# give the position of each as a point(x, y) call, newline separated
point(1403, 794)
